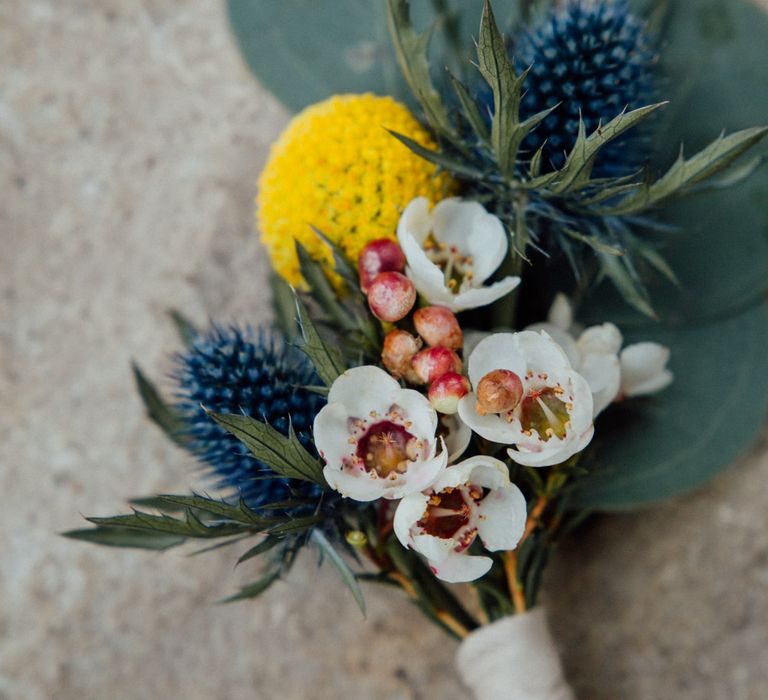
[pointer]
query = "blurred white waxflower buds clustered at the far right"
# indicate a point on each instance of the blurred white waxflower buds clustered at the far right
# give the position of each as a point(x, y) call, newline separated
point(640, 368)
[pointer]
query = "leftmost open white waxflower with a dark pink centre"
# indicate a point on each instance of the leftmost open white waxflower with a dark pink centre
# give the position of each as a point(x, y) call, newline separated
point(377, 439)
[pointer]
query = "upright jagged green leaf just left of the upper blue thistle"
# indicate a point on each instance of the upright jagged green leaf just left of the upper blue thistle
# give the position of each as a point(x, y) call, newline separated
point(499, 72)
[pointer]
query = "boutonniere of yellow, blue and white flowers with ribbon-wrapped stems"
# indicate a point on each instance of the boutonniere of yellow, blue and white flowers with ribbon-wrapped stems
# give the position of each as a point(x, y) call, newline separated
point(427, 409)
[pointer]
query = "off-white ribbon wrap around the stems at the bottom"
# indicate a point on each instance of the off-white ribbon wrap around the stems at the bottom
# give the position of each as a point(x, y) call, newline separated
point(513, 659)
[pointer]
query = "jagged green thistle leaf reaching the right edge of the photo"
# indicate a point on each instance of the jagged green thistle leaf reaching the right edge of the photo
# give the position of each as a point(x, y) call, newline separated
point(685, 173)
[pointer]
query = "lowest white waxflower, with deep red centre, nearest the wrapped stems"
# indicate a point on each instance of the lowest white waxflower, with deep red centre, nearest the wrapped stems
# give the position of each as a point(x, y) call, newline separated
point(474, 498)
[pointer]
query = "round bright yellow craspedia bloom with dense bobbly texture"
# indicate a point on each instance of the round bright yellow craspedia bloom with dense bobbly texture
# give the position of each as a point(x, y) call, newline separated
point(337, 168)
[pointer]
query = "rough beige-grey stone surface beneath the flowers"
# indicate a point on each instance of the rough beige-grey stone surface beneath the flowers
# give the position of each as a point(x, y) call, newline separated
point(131, 138)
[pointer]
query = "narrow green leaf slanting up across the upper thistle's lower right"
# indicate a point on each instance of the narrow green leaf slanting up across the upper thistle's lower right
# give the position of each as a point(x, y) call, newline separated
point(578, 166)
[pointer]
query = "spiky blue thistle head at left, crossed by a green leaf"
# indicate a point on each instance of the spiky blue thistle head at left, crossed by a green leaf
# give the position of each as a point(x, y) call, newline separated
point(233, 370)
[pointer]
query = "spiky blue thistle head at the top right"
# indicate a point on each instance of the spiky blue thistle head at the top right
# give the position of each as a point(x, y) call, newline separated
point(594, 58)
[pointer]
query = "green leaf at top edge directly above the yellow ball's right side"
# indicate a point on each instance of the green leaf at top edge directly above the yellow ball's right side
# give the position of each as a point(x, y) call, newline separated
point(411, 51)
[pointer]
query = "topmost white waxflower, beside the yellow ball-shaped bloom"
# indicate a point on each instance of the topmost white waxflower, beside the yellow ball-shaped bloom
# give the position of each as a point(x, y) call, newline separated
point(452, 250)
